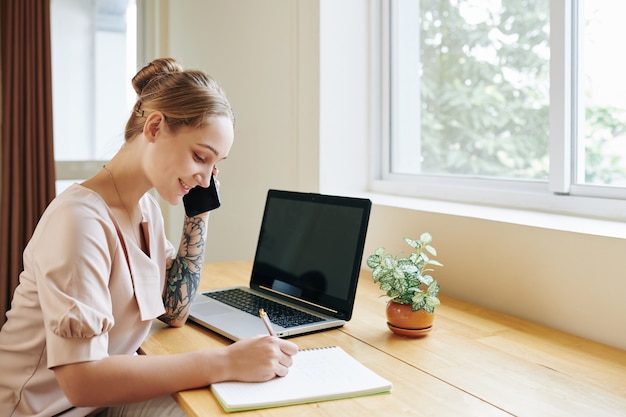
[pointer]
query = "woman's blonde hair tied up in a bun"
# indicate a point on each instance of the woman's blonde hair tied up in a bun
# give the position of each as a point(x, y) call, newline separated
point(185, 97)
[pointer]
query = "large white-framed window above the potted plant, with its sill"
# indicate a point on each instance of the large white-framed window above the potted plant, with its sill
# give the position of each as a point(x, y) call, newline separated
point(506, 102)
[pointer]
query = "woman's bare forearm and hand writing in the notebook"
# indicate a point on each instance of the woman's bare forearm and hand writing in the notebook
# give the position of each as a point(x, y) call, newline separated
point(132, 378)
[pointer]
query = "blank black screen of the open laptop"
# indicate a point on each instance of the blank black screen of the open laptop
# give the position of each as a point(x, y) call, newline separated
point(310, 248)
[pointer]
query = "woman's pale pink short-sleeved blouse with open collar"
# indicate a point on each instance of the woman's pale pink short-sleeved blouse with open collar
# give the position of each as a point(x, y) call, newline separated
point(85, 293)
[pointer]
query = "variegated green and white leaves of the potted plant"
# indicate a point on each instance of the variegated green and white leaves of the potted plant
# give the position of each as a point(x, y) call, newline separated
point(406, 280)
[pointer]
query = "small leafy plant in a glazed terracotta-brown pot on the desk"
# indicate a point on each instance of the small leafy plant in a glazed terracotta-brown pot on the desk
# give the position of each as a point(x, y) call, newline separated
point(408, 284)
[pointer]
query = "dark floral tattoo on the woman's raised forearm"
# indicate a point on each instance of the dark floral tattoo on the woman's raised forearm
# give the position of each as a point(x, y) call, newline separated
point(183, 277)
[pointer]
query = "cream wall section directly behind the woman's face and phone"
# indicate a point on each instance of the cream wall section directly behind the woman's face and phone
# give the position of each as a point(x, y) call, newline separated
point(262, 55)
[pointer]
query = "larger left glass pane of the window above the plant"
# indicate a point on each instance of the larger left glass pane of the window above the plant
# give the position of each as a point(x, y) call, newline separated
point(483, 87)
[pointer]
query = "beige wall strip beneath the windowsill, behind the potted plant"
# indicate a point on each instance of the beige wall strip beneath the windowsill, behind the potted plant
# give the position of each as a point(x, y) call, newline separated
point(571, 281)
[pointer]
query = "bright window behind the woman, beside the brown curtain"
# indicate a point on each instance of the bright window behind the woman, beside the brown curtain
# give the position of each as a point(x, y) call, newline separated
point(93, 60)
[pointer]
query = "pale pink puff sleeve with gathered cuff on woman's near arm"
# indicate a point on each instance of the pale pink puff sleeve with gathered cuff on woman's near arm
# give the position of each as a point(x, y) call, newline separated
point(72, 263)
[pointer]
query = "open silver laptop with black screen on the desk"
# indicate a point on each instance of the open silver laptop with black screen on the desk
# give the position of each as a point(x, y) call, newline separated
point(305, 269)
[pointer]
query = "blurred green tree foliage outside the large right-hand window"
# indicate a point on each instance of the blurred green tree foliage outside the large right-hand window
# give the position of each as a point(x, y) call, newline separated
point(485, 76)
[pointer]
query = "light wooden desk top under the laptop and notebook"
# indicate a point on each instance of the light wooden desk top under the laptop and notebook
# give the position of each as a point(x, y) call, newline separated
point(475, 362)
